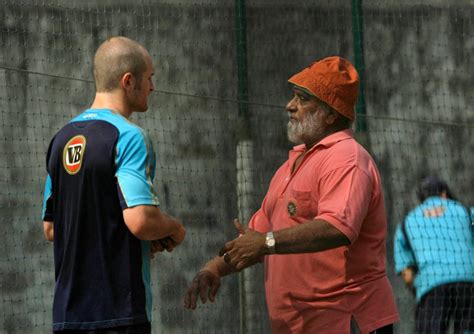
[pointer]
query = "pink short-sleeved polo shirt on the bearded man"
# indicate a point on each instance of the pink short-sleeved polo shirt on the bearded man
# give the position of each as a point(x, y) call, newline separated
point(337, 181)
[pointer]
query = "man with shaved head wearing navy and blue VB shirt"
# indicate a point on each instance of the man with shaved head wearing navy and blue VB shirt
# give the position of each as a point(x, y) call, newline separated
point(100, 207)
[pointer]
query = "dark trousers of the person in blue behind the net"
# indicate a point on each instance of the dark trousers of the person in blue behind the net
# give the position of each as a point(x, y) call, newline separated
point(449, 302)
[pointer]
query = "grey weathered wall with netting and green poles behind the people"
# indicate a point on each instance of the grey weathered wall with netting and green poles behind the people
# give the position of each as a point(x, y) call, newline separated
point(218, 124)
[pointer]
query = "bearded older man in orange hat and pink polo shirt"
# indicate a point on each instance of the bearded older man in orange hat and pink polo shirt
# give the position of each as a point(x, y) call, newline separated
point(322, 225)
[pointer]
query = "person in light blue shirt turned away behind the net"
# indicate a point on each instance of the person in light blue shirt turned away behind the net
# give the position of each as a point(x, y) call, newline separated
point(434, 254)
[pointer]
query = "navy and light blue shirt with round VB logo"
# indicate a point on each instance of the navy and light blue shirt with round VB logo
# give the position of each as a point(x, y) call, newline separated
point(98, 165)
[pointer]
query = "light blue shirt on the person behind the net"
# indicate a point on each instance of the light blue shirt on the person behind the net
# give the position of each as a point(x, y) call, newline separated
point(441, 236)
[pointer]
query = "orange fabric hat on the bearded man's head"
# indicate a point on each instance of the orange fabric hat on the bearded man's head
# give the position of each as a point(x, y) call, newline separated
point(333, 80)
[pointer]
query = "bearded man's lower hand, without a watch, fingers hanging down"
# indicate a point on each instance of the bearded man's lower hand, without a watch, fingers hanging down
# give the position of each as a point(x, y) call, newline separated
point(205, 284)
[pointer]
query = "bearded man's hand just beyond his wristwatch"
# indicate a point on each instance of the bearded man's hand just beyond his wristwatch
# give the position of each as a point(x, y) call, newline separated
point(244, 251)
